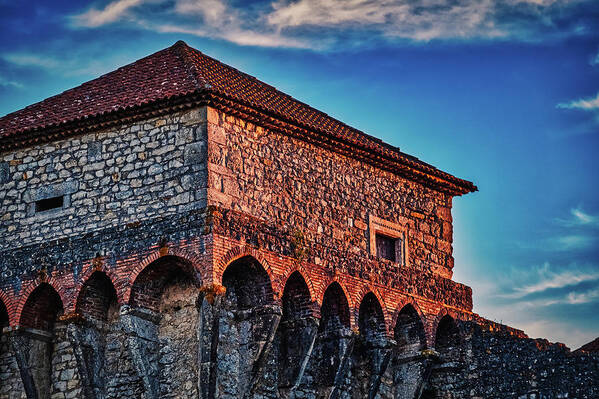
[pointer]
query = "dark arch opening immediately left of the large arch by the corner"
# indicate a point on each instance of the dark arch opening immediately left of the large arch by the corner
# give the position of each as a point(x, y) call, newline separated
point(97, 297)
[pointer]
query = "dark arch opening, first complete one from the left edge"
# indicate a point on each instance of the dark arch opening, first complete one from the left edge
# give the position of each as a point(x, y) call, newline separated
point(42, 308)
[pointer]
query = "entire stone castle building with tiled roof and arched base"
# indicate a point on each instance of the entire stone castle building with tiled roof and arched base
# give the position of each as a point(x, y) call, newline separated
point(179, 229)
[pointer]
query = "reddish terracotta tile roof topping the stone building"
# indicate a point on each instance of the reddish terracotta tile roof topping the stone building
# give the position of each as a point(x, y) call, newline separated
point(178, 72)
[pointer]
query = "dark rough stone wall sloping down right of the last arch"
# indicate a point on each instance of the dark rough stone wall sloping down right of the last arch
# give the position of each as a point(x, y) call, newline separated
point(478, 363)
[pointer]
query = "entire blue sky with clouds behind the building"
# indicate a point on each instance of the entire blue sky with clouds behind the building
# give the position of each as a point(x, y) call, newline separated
point(503, 93)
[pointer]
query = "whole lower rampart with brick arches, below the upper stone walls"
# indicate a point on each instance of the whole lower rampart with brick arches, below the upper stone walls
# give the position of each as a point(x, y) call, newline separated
point(217, 305)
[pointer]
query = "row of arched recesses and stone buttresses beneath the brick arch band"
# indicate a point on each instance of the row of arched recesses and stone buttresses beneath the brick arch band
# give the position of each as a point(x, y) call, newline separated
point(173, 338)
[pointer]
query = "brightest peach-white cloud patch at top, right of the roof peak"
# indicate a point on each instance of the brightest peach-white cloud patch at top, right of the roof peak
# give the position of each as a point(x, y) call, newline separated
point(417, 20)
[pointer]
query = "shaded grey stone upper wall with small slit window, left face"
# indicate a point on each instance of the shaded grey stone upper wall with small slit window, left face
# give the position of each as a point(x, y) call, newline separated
point(108, 178)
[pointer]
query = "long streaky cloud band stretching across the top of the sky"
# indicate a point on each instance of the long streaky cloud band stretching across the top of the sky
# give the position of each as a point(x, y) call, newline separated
point(326, 23)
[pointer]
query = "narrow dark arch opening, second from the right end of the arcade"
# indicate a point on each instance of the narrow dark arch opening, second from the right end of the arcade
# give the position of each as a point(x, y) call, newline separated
point(409, 332)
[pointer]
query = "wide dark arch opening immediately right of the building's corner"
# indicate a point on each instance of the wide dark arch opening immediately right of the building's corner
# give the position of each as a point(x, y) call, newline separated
point(247, 283)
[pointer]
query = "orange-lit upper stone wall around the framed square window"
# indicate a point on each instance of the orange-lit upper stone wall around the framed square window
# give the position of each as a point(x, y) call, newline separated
point(327, 197)
